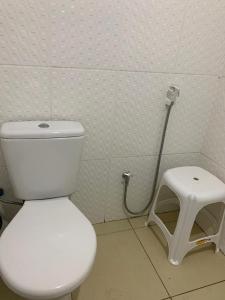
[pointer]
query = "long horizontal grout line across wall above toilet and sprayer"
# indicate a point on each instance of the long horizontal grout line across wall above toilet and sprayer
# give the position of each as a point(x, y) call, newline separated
point(111, 70)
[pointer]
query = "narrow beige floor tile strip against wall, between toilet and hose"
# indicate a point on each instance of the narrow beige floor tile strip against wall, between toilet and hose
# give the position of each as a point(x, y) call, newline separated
point(113, 226)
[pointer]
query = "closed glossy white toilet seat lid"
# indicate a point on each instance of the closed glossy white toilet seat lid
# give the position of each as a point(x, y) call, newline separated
point(47, 250)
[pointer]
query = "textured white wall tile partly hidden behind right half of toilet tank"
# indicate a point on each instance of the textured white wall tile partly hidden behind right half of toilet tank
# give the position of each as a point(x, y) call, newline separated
point(86, 96)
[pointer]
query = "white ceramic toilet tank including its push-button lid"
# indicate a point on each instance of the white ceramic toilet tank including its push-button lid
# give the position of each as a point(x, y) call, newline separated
point(42, 158)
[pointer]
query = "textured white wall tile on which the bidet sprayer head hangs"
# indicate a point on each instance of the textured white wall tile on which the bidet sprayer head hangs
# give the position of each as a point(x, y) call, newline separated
point(140, 113)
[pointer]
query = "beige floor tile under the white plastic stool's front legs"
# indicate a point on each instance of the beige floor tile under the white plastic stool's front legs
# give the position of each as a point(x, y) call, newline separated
point(199, 268)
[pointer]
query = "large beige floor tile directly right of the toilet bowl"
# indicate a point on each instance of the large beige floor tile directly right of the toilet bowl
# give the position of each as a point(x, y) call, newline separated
point(122, 271)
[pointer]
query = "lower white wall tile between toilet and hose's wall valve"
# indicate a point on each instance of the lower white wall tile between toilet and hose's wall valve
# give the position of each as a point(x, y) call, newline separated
point(92, 189)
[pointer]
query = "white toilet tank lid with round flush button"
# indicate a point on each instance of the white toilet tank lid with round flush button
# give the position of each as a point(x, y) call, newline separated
point(41, 129)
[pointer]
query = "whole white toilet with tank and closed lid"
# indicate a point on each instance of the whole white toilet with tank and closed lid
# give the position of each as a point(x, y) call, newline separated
point(48, 249)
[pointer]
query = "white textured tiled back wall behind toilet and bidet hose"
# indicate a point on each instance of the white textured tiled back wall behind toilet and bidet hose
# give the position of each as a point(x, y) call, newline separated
point(108, 64)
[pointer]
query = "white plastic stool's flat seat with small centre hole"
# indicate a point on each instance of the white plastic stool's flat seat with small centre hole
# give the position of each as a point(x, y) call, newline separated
point(195, 182)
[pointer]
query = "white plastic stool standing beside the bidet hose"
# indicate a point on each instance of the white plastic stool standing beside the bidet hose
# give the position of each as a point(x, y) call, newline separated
point(195, 188)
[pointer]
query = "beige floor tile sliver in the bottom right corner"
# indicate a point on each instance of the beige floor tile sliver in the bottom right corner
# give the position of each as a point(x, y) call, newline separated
point(213, 292)
